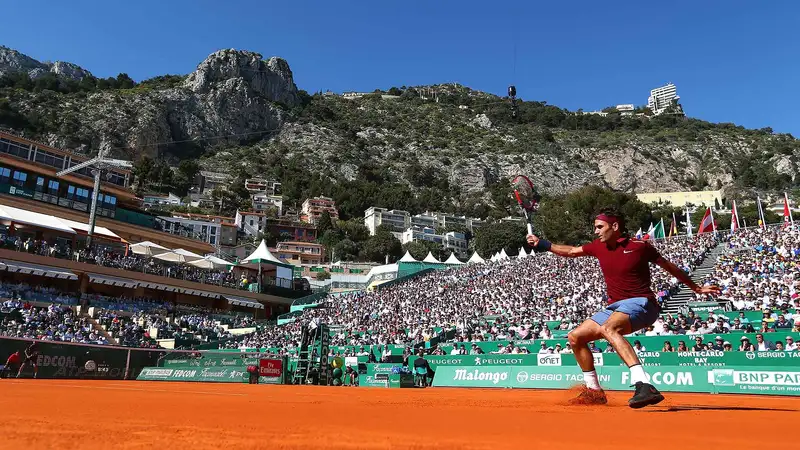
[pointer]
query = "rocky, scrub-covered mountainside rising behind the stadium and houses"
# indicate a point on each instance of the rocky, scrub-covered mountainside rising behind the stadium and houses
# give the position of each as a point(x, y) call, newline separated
point(426, 147)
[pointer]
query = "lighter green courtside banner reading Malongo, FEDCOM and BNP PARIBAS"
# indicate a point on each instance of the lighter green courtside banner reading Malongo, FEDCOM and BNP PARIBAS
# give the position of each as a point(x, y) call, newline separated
point(768, 380)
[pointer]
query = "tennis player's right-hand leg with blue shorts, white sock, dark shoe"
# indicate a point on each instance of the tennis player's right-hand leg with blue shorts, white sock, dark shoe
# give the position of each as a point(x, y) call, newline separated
point(629, 316)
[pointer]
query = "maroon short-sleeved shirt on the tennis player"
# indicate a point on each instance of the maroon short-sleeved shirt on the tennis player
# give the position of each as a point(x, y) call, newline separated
point(626, 267)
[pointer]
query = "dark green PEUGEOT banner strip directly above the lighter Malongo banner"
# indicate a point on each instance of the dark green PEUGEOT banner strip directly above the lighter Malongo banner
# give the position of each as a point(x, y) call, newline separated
point(710, 358)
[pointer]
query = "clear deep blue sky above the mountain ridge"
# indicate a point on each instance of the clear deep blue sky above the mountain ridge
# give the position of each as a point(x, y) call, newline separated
point(732, 61)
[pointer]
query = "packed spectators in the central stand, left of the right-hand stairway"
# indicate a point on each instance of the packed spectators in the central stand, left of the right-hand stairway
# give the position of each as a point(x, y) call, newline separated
point(507, 299)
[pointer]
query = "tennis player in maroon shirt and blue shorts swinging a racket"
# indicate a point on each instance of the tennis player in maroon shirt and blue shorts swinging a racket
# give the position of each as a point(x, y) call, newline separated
point(632, 305)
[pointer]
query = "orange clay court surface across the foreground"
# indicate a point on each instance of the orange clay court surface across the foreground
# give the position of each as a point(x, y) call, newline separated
point(55, 414)
